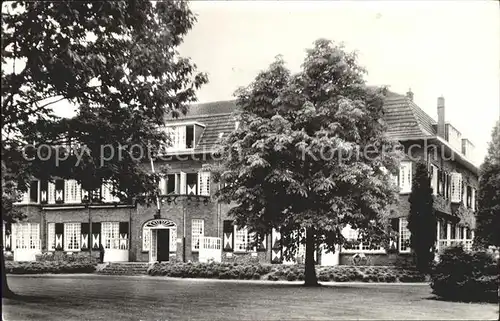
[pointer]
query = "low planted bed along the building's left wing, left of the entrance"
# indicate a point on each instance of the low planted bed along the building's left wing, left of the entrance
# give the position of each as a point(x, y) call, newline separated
point(48, 267)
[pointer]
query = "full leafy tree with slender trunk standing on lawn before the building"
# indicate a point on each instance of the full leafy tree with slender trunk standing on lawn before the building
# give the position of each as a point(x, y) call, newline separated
point(309, 154)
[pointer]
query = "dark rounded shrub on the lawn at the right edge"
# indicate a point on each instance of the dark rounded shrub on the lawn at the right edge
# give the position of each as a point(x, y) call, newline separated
point(463, 276)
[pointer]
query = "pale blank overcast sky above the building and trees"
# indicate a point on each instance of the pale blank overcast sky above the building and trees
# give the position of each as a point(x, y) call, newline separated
point(449, 48)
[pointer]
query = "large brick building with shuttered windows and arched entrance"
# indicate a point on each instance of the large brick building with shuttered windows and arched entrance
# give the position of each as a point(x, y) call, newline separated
point(193, 226)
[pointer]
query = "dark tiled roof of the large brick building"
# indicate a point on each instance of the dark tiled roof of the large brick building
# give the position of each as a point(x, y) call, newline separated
point(405, 120)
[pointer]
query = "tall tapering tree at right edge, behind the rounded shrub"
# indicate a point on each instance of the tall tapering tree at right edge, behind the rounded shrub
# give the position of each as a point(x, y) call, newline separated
point(488, 199)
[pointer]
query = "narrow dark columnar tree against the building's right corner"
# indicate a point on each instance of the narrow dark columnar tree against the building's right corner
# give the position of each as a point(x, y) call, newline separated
point(422, 218)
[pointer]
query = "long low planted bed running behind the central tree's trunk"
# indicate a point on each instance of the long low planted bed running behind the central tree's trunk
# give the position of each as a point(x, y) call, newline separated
point(285, 272)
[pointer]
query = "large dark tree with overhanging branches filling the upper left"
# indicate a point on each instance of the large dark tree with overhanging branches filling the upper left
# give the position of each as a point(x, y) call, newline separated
point(117, 63)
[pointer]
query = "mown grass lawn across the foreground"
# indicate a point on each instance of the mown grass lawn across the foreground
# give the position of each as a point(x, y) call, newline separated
point(99, 297)
